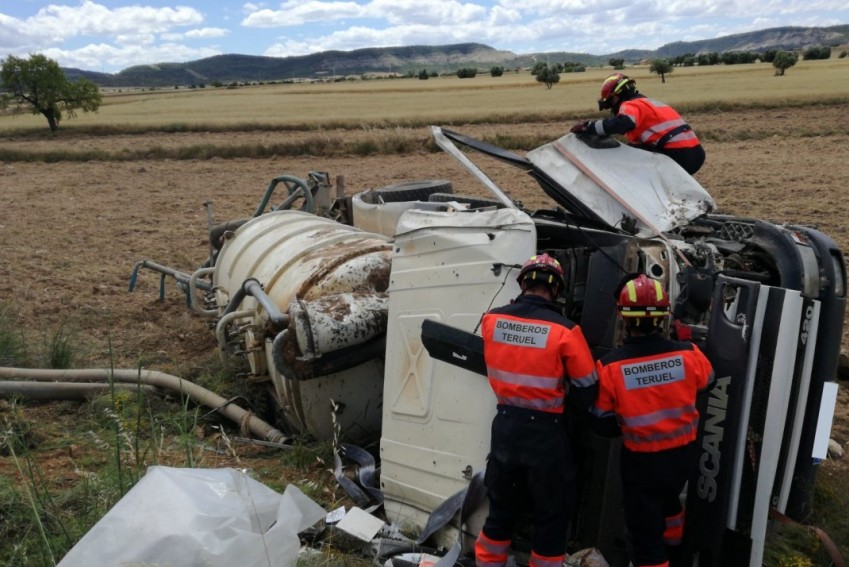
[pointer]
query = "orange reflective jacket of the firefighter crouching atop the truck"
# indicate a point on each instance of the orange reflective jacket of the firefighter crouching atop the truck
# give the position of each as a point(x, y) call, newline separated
point(648, 122)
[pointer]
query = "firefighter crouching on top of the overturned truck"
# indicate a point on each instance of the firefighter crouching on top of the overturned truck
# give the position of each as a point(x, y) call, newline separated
point(646, 123)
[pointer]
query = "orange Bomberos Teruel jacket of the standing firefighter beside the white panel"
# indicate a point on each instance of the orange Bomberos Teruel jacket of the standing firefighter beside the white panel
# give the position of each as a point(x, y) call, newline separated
point(530, 349)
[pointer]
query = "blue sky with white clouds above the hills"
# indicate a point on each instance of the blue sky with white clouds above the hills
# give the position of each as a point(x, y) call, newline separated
point(100, 35)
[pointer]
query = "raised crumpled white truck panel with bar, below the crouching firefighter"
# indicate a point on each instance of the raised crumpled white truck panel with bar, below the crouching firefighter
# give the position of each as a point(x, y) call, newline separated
point(608, 183)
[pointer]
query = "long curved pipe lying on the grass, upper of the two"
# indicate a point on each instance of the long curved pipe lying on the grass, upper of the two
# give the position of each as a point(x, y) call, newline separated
point(195, 392)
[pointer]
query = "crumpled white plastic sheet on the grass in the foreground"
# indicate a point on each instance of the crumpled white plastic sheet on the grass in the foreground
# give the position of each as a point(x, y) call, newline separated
point(198, 517)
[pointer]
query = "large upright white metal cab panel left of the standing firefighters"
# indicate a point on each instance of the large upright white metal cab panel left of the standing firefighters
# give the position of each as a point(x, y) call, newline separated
point(449, 267)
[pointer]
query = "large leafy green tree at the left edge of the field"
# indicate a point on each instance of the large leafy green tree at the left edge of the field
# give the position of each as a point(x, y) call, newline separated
point(41, 84)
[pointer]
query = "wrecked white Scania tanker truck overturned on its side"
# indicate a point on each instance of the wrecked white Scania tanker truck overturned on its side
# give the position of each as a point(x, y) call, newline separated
point(327, 304)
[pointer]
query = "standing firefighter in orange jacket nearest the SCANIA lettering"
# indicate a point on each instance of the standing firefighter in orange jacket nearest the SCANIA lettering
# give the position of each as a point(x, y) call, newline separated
point(647, 389)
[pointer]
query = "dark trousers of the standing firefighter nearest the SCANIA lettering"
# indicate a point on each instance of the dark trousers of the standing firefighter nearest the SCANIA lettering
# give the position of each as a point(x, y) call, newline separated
point(651, 486)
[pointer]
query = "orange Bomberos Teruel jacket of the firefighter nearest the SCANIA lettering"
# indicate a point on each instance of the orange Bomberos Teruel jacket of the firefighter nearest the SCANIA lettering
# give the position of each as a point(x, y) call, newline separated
point(650, 384)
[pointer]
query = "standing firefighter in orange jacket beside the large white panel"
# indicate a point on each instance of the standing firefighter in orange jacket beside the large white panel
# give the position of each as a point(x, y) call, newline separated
point(531, 352)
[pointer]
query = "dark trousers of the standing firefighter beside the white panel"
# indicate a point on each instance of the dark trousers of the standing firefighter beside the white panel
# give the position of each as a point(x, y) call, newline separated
point(530, 469)
